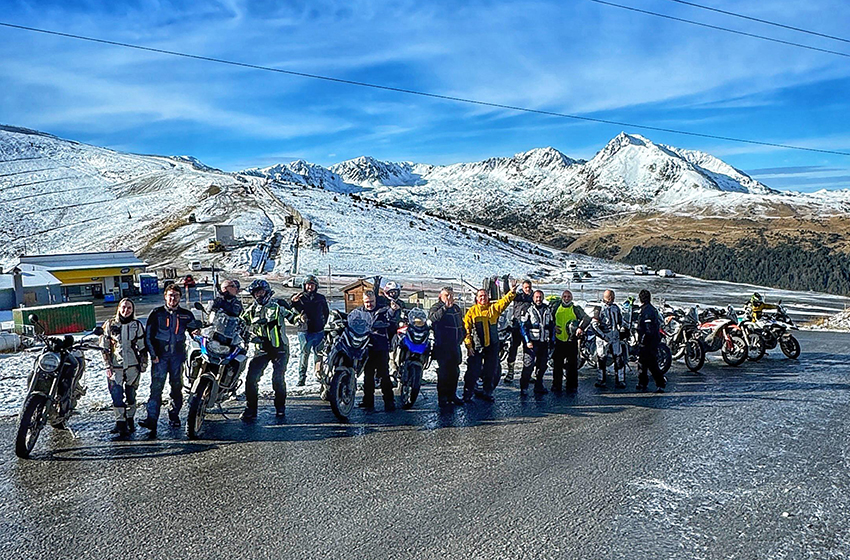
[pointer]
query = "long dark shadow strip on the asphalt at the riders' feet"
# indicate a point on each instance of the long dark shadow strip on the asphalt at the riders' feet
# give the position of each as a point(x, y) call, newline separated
point(310, 419)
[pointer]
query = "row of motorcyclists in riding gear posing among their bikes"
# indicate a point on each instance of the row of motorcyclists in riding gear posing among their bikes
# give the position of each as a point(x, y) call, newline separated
point(544, 330)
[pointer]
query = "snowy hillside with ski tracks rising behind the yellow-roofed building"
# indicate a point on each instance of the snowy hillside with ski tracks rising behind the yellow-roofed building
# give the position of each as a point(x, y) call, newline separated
point(63, 196)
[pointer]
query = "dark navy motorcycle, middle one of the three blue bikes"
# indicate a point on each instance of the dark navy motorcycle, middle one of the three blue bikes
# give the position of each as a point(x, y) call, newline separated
point(341, 361)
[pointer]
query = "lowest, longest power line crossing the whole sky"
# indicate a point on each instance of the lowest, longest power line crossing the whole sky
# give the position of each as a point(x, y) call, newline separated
point(422, 93)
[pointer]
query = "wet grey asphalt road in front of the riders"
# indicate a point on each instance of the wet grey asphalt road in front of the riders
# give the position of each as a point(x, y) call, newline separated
point(749, 462)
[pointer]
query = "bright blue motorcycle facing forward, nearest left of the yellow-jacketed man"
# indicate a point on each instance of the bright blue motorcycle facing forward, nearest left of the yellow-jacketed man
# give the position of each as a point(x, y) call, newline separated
point(411, 356)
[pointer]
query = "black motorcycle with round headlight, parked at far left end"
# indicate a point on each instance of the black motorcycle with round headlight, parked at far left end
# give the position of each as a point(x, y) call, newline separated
point(53, 387)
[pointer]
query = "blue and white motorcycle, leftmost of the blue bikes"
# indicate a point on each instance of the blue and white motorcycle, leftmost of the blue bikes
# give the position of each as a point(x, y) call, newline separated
point(214, 368)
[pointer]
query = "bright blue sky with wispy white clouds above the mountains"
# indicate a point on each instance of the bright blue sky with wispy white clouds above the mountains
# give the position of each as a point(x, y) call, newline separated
point(570, 56)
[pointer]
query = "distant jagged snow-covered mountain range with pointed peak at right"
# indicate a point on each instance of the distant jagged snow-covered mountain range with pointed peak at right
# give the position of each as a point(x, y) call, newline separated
point(630, 174)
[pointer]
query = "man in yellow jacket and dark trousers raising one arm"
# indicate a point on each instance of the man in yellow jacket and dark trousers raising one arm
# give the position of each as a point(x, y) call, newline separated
point(482, 342)
